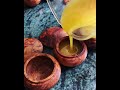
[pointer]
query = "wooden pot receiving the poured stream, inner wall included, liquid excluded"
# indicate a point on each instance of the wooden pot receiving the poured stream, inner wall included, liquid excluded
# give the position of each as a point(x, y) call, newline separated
point(70, 60)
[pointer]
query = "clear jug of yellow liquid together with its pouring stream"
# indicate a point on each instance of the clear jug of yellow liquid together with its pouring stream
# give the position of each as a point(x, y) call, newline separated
point(79, 15)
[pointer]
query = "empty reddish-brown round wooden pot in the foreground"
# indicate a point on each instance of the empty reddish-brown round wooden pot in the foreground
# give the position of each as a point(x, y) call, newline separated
point(47, 81)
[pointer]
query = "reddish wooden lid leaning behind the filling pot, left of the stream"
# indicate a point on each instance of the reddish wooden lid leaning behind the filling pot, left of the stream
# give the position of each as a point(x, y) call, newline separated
point(51, 35)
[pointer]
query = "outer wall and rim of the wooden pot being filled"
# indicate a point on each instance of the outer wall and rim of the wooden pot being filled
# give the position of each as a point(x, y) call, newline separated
point(71, 61)
